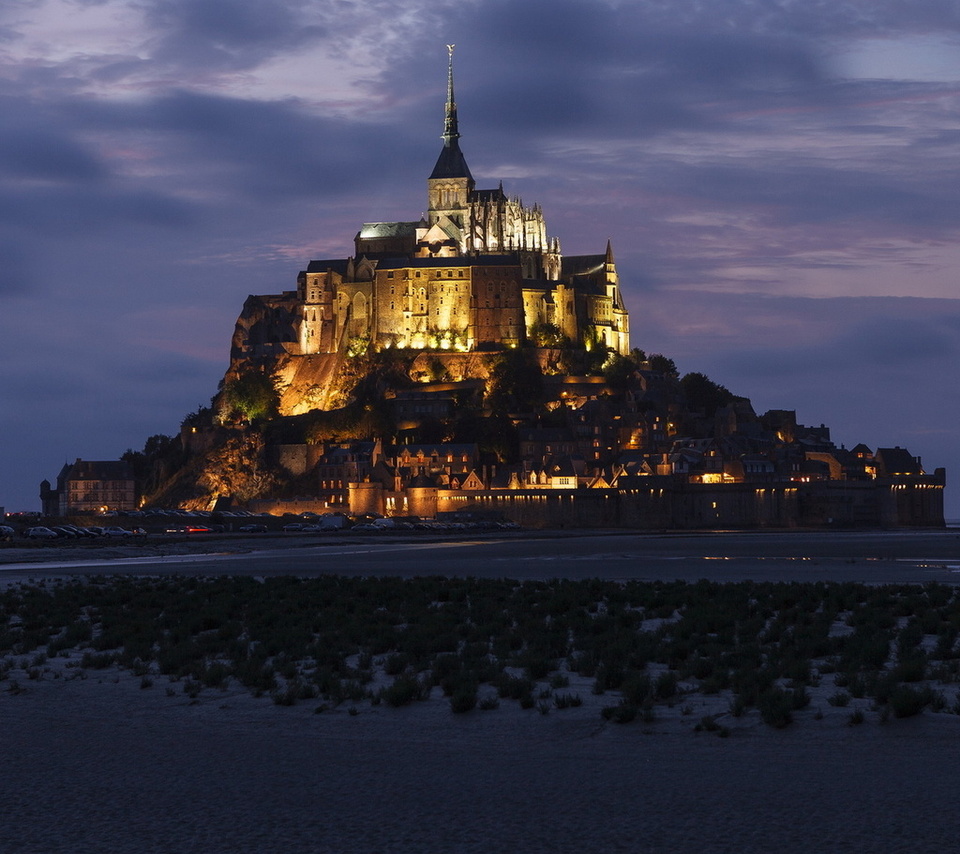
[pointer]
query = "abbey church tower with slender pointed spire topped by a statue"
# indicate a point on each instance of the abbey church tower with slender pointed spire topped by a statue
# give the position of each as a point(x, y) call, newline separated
point(450, 184)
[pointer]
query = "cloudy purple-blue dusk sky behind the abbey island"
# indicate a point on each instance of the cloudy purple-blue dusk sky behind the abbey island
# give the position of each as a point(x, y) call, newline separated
point(780, 180)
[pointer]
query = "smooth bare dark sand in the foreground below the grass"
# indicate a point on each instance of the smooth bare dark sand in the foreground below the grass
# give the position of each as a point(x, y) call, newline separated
point(106, 767)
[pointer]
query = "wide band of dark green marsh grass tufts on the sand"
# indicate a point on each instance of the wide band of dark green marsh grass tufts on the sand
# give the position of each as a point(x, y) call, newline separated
point(642, 643)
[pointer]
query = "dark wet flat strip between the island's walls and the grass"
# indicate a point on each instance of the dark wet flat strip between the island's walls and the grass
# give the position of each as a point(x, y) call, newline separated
point(869, 556)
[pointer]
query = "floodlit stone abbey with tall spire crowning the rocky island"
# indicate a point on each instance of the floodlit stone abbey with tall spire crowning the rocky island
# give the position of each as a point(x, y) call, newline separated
point(477, 272)
